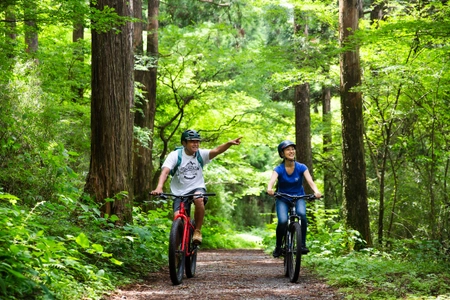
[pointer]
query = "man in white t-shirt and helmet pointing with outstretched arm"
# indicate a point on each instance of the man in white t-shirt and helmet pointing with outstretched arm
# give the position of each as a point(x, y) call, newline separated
point(188, 176)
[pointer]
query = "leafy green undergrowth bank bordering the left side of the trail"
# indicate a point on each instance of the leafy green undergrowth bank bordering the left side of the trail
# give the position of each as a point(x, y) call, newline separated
point(67, 250)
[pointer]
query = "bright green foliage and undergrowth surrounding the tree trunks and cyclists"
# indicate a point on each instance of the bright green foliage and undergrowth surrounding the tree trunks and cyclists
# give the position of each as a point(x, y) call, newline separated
point(227, 71)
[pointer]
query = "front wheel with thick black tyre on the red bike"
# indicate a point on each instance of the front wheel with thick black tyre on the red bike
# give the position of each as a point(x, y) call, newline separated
point(176, 255)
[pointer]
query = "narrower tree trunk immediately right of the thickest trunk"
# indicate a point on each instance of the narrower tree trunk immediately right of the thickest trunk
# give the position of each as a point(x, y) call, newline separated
point(145, 117)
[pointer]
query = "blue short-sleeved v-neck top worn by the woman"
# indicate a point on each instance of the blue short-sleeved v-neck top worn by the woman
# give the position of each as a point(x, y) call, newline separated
point(291, 184)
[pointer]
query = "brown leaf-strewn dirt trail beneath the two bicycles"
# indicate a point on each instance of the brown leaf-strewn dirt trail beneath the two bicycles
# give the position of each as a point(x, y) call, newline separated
point(231, 274)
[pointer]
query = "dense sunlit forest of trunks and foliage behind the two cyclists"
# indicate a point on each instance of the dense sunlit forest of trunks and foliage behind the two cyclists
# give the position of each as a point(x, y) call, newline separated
point(95, 95)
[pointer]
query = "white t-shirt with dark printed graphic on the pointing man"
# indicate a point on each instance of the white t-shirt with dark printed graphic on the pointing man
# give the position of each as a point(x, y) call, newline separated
point(189, 175)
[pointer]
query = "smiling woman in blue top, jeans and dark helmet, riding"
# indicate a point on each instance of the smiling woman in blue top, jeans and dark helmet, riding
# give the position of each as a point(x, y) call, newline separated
point(290, 176)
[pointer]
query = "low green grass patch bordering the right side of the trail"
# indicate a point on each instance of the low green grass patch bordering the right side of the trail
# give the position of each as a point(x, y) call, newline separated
point(379, 275)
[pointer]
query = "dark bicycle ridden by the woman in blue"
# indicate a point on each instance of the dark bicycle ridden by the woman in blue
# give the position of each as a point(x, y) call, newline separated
point(292, 246)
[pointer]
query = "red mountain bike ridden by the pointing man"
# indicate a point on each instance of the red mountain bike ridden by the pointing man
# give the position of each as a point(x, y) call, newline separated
point(182, 249)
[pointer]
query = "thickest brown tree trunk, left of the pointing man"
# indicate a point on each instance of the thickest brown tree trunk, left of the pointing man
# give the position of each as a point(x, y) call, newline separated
point(111, 120)
